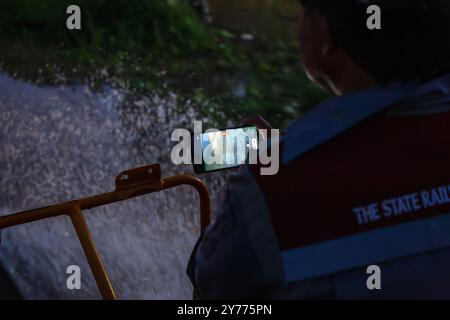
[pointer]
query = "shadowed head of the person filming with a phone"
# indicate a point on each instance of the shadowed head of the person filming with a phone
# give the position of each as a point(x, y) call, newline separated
point(340, 53)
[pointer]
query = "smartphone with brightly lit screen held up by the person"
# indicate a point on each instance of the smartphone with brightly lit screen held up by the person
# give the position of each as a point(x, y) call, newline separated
point(216, 150)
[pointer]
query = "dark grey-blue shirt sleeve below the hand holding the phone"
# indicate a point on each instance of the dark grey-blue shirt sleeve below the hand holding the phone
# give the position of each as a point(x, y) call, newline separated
point(238, 256)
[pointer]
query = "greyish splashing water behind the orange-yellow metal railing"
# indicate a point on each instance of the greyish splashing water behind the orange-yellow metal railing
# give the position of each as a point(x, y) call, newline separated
point(63, 142)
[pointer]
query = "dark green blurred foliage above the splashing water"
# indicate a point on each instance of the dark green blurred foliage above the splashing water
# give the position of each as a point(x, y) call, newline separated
point(157, 46)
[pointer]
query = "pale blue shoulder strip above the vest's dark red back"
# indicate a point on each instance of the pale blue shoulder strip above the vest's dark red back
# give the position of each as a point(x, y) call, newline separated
point(339, 114)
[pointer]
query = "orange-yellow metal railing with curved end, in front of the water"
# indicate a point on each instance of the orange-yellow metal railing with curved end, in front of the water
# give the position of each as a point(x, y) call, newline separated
point(129, 184)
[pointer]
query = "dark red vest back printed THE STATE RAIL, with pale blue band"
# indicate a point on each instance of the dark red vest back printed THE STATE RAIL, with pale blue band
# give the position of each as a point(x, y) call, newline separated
point(376, 193)
